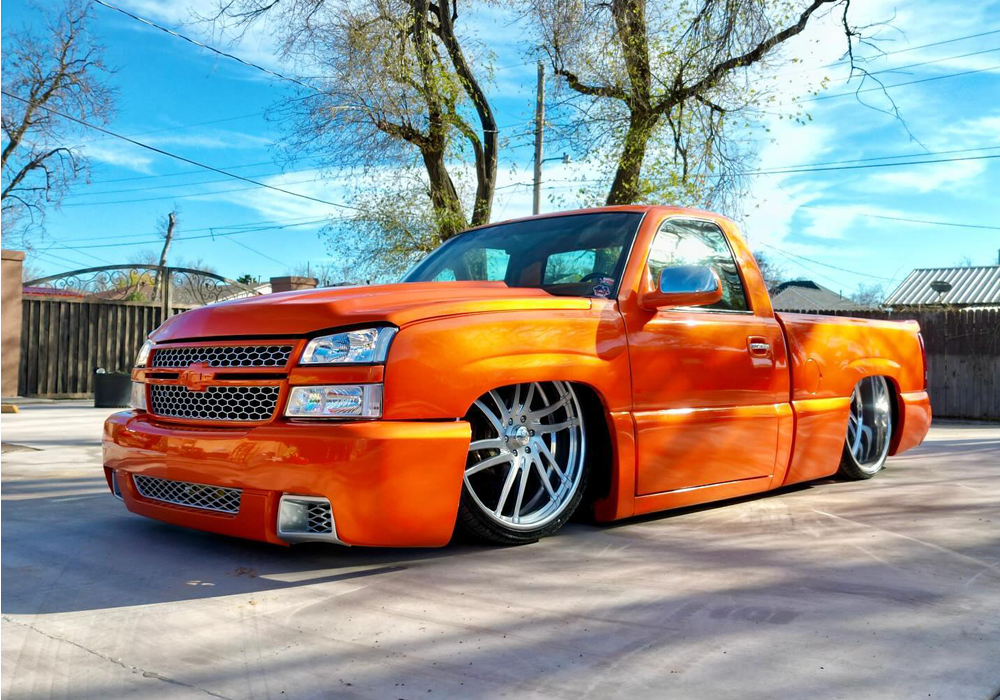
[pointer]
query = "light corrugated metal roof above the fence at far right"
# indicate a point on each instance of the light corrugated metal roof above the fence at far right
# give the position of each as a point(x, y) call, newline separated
point(970, 286)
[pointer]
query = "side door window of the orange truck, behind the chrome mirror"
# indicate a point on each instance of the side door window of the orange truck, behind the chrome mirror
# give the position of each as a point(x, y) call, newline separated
point(693, 242)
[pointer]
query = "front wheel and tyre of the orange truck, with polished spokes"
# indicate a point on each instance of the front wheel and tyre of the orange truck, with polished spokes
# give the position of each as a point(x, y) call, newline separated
point(526, 467)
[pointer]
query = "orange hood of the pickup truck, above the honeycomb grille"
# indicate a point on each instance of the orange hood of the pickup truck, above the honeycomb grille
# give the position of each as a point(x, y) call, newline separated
point(300, 313)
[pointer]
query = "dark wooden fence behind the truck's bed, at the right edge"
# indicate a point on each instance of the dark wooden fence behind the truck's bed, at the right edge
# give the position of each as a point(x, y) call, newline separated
point(963, 358)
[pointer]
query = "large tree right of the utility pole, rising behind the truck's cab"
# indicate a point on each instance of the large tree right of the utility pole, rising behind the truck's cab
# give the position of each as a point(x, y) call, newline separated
point(657, 85)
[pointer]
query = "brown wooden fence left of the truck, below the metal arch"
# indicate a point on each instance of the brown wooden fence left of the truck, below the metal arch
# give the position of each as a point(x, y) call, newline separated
point(64, 341)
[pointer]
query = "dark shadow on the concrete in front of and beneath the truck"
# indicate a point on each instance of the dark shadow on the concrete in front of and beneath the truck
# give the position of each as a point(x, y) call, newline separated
point(69, 546)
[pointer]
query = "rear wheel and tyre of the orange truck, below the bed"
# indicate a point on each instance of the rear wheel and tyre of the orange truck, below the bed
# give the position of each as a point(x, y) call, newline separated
point(869, 429)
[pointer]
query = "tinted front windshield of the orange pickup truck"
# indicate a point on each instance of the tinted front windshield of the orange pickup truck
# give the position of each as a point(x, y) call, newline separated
point(572, 255)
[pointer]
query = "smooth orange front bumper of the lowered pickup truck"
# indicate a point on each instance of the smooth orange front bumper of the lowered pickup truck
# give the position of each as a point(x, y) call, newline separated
point(389, 483)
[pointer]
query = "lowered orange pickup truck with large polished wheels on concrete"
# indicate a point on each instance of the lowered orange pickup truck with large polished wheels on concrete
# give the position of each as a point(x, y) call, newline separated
point(613, 361)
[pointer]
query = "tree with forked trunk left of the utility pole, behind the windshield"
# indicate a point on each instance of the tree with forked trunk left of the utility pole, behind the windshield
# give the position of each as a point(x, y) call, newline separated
point(395, 85)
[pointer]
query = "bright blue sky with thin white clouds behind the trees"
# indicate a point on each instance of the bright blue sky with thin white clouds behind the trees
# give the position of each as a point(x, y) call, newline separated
point(839, 227)
